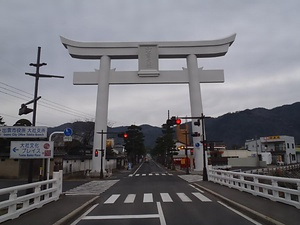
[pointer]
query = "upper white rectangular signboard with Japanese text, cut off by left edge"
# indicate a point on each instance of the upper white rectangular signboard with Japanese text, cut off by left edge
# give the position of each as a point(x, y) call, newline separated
point(23, 132)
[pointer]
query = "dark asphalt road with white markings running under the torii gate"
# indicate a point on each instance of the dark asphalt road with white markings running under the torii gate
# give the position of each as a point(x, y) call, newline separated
point(151, 195)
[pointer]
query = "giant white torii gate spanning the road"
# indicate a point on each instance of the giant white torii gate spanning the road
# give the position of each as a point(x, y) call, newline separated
point(148, 54)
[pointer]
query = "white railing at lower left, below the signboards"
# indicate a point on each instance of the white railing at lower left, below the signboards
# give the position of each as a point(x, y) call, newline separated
point(18, 202)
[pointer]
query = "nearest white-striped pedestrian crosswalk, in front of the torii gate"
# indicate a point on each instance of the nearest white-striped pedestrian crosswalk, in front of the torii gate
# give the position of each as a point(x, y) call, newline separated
point(162, 197)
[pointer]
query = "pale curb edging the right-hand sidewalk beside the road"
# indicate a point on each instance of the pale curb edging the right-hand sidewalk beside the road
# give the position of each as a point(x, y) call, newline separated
point(250, 212)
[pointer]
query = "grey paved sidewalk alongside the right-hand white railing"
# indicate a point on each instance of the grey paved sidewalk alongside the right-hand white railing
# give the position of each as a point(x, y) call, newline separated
point(258, 208)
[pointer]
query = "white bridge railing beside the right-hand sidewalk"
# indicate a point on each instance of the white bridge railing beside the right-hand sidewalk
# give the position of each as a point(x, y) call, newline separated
point(280, 189)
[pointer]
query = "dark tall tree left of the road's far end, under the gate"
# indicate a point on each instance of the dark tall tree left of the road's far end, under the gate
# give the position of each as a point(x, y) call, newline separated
point(134, 143)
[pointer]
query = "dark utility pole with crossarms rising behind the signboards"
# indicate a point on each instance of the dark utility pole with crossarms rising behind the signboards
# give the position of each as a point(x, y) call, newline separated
point(37, 75)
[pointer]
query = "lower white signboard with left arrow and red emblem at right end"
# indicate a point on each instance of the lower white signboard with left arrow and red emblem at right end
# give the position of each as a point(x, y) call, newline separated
point(31, 149)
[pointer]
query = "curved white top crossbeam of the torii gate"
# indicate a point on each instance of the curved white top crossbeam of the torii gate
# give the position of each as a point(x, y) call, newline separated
point(130, 50)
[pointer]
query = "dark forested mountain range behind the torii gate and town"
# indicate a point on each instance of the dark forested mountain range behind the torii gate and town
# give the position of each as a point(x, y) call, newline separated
point(233, 129)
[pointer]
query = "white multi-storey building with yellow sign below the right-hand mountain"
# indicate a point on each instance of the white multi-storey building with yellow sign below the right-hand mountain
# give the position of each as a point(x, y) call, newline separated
point(282, 148)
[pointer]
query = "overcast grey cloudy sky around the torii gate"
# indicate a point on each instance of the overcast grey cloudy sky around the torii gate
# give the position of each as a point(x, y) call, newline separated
point(262, 67)
